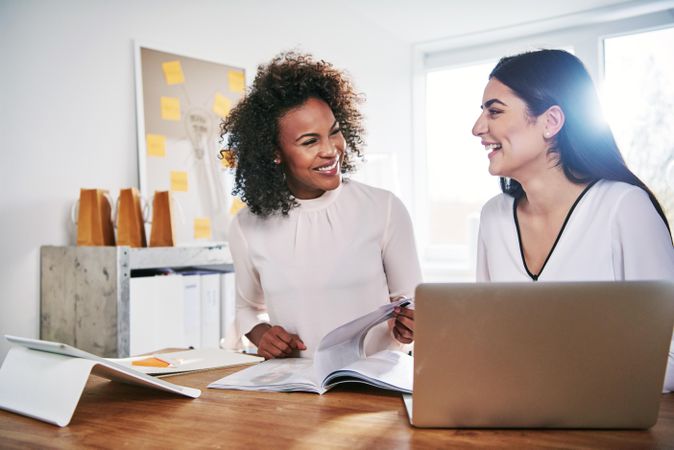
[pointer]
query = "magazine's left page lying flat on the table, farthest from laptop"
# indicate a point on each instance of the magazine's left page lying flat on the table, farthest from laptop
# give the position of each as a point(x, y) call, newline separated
point(277, 375)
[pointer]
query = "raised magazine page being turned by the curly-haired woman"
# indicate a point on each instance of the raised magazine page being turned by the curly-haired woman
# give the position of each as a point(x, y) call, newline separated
point(344, 345)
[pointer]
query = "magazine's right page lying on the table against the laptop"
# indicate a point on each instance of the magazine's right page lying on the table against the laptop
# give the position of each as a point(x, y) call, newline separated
point(388, 369)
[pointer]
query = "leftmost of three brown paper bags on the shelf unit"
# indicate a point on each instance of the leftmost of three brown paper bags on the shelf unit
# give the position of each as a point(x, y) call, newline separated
point(94, 219)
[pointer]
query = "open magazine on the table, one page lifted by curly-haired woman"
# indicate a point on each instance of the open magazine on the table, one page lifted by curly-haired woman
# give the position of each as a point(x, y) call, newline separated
point(339, 358)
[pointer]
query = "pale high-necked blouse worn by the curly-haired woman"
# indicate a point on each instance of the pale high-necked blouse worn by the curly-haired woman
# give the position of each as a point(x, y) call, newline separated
point(329, 261)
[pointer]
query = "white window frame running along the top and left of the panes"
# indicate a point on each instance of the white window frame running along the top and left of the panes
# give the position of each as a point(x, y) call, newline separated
point(583, 32)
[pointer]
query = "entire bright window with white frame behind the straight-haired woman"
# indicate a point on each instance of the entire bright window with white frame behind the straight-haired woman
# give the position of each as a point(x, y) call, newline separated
point(451, 181)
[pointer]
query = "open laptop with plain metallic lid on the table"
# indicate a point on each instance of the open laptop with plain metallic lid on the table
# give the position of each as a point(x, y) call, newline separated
point(540, 355)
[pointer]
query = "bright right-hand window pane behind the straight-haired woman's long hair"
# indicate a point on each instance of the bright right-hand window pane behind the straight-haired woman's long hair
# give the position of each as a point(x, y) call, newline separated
point(638, 101)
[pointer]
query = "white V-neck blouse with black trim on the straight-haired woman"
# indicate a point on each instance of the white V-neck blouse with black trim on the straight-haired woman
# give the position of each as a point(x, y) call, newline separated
point(613, 233)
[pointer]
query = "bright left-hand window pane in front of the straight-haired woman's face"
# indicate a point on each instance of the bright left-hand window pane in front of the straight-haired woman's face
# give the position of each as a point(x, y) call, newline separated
point(457, 181)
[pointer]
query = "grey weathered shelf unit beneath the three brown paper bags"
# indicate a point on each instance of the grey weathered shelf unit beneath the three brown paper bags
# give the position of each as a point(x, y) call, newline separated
point(84, 291)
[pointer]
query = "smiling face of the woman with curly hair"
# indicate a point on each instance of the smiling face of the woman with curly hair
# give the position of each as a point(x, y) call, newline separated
point(311, 149)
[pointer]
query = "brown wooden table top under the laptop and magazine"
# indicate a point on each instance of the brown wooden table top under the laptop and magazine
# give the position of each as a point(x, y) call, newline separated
point(112, 415)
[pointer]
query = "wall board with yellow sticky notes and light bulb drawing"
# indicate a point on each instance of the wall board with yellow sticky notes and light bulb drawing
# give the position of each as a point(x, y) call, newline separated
point(180, 103)
